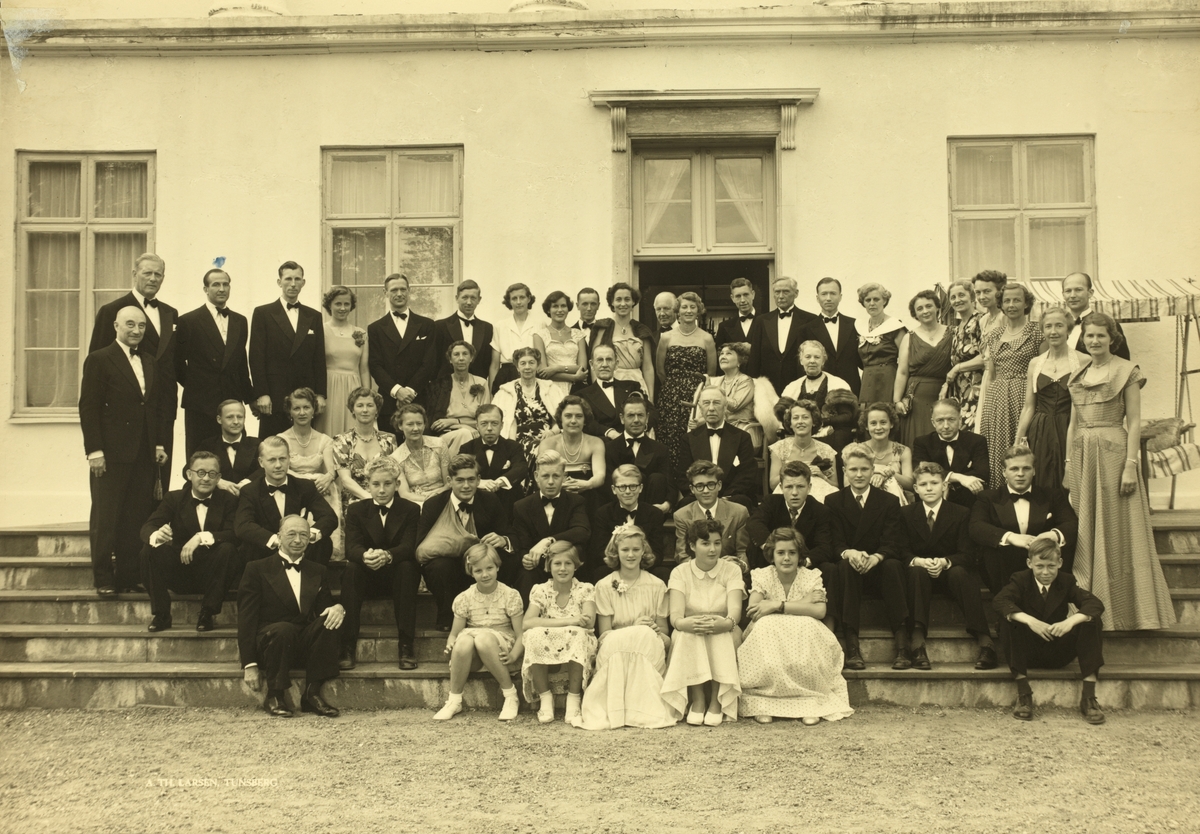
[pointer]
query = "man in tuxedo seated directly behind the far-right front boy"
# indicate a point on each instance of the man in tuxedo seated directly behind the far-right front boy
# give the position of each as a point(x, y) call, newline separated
point(1007, 521)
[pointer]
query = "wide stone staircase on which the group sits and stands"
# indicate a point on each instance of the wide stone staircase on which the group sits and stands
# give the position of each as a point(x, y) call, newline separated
point(62, 646)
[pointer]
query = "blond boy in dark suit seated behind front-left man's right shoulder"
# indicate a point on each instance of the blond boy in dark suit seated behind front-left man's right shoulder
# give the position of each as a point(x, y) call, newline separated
point(381, 561)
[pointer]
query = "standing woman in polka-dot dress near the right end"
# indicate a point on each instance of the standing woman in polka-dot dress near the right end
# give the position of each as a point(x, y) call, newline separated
point(1009, 352)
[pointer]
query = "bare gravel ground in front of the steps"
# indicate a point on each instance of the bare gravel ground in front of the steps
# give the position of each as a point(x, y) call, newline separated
point(885, 770)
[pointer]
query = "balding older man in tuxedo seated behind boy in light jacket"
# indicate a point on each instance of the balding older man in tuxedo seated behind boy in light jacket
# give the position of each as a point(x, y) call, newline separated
point(725, 446)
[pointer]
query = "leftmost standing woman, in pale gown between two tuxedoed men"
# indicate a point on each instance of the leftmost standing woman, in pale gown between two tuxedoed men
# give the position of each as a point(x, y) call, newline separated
point(346, 361)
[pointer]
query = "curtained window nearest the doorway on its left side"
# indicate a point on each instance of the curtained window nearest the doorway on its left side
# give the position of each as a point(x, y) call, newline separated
point(394, 211)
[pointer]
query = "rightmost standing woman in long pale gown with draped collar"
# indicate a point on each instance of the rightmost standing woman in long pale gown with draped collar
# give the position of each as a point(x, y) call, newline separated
point(1115, 559)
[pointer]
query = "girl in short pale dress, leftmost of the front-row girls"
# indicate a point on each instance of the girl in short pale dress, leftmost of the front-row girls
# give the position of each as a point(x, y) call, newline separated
point(487, 633)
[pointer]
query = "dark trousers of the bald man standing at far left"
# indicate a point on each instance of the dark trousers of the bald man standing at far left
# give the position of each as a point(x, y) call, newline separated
point(122, 501)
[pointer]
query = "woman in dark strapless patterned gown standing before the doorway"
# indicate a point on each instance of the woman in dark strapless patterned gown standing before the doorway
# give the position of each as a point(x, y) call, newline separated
point(686, 356)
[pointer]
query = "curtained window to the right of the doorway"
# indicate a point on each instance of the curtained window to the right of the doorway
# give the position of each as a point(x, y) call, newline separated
point(1023, 206)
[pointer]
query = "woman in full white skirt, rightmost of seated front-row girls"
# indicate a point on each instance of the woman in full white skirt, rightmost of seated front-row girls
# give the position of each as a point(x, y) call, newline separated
point(790, 663)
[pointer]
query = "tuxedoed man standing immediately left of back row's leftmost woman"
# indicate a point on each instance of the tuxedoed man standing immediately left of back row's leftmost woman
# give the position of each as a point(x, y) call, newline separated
point(287, 351)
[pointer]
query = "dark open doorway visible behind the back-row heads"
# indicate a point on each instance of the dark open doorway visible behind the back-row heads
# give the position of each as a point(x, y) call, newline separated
point(709, 279)
